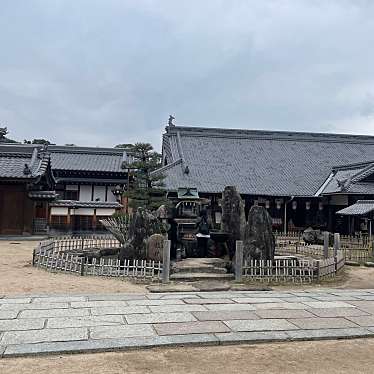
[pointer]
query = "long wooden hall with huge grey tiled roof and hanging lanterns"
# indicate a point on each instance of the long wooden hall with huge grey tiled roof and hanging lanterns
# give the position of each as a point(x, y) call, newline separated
point(302, 179)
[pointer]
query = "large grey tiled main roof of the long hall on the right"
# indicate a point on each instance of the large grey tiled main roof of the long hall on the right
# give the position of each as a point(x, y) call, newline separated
point(273, 163)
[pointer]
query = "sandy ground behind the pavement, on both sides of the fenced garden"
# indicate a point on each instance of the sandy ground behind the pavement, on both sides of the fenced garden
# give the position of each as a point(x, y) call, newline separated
point(17, 276)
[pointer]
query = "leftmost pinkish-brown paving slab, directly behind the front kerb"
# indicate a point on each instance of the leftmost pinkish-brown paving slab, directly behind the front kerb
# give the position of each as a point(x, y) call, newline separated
point(190, 328)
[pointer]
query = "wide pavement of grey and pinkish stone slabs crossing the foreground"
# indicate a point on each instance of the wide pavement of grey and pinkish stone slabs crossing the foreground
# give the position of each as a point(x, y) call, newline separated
point(42, 324)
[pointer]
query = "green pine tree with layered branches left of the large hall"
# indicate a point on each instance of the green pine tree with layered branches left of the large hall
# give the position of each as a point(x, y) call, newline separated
point(147, 190)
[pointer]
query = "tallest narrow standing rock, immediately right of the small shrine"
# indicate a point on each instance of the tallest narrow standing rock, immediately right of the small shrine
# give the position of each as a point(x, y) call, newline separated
point(233, 216)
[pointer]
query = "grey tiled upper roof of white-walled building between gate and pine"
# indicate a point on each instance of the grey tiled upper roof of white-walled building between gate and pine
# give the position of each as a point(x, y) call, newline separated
point(87, 159)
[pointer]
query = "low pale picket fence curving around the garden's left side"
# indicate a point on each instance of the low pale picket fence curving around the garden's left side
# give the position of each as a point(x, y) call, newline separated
point(64, 255)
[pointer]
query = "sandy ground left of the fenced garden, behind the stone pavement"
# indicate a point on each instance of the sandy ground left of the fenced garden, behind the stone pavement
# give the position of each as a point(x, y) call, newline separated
point(17, 276)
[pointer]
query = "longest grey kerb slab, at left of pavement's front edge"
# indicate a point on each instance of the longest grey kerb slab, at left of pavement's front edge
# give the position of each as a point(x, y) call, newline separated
point(104, 345)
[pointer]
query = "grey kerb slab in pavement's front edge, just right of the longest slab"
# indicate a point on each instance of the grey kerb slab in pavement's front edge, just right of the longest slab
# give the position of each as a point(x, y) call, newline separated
point(252, 337)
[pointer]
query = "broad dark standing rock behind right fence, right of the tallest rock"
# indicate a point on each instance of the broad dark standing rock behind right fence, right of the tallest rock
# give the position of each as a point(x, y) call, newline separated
point(259, 240)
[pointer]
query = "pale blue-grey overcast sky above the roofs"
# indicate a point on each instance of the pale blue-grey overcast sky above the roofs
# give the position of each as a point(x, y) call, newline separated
point(103, 72)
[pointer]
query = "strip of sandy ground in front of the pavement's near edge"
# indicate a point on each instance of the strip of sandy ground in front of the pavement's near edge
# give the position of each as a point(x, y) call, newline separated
point(323, 357)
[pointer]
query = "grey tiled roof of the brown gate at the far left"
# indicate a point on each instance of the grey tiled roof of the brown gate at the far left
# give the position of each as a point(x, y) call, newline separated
point(22, 162)
